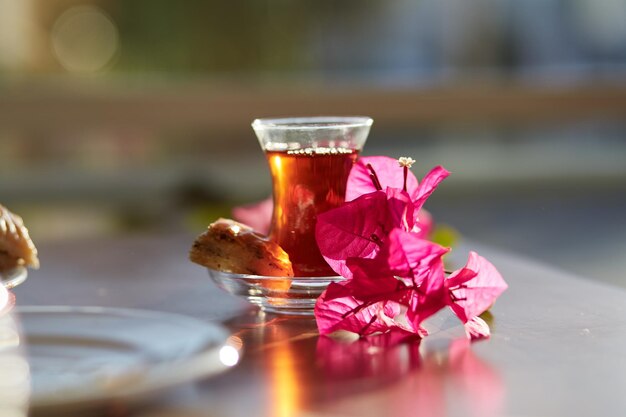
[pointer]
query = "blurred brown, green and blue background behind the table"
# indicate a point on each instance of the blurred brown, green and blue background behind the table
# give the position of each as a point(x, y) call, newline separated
point(122, 117)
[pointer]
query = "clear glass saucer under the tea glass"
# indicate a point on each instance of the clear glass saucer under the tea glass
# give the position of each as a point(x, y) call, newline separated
point(282, 295)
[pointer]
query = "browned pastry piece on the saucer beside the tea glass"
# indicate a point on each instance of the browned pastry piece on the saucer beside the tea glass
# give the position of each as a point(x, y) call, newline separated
point(233, 247)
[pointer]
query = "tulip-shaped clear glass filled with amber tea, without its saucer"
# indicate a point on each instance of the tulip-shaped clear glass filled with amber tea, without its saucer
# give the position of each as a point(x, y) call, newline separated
point(309, 159)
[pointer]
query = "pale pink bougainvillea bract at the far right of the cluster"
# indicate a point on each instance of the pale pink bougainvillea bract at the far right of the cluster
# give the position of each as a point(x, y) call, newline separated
point(475, 287)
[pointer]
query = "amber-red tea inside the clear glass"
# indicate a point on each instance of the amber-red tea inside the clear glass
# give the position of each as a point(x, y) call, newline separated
point(306, 182)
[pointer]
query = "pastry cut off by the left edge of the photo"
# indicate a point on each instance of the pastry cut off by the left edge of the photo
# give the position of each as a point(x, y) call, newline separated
point(16, 247)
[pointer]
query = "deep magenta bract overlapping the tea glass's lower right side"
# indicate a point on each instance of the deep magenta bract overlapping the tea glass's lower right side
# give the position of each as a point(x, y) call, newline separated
point(356, 229)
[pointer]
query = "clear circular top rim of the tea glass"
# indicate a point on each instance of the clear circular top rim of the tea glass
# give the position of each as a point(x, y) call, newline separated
point(312, 123)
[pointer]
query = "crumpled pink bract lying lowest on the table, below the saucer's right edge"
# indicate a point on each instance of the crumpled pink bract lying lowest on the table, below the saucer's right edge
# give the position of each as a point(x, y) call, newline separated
point(350, 314)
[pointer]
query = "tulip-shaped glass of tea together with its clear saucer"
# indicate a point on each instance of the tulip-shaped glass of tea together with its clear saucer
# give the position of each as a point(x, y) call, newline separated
point(309, 159)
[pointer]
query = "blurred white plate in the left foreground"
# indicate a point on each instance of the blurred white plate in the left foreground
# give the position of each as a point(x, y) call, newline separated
point(83, 356)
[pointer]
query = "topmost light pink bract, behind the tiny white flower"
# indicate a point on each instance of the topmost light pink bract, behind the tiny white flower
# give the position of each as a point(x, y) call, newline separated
point(388, 171)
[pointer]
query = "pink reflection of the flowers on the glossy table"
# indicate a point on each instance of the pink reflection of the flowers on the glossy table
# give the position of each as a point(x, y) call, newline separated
point(421, 383)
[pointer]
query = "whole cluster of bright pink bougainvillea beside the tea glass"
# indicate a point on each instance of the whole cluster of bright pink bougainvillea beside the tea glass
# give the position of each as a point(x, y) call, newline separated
point(395, 278)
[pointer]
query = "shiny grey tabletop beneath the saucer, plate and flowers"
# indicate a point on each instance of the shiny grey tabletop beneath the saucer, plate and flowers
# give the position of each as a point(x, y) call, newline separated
point(558, 345)
